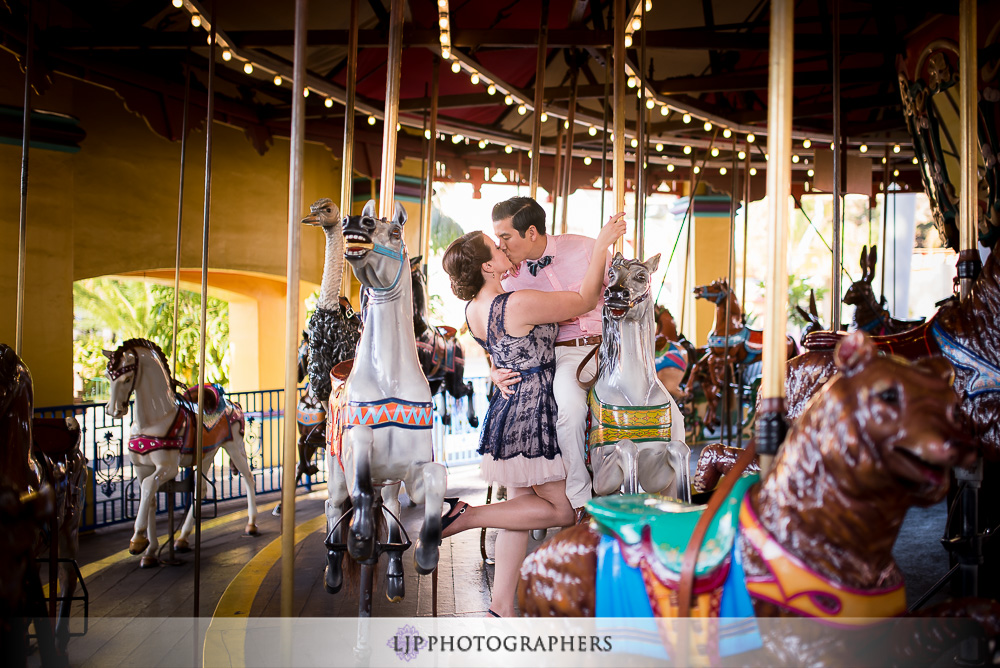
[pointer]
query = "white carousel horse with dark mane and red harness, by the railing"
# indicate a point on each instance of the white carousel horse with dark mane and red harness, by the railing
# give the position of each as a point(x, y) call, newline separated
point(162, 439)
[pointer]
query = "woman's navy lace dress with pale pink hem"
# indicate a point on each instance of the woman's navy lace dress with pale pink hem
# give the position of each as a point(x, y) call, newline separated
point(518, 441)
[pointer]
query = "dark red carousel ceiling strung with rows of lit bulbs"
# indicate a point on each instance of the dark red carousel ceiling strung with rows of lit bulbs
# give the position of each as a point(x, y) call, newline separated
point(699, 71)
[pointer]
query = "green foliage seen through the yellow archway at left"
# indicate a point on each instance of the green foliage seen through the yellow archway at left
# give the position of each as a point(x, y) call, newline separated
point(108, 311)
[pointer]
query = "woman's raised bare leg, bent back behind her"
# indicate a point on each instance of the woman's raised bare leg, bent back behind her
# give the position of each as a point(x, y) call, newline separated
point(537, 507)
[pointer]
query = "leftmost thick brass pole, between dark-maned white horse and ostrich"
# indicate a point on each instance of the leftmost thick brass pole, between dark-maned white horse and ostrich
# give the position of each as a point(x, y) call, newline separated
point(289, 433)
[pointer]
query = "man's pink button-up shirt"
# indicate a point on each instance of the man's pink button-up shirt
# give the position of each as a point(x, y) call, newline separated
point(570, 259)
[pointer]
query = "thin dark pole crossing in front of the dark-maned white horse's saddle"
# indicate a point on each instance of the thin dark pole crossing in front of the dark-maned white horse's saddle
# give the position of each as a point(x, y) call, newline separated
point(199, 451)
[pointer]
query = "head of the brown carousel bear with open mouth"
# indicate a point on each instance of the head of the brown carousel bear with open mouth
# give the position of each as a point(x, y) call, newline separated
point(896, 423)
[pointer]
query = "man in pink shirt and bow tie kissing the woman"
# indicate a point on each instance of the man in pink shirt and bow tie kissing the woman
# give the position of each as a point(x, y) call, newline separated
point(551, 263)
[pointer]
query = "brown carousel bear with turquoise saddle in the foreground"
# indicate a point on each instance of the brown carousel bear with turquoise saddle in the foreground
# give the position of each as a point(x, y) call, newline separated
point(814, 538)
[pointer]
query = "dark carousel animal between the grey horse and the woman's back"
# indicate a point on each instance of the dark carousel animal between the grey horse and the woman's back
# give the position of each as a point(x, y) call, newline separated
point(439, 351)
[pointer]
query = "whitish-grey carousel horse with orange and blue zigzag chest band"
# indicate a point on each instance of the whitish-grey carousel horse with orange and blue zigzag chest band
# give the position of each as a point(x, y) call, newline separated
point(383, 412)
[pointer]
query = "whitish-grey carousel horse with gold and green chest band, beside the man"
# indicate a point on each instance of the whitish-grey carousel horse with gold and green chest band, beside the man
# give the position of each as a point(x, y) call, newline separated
point(636, 434)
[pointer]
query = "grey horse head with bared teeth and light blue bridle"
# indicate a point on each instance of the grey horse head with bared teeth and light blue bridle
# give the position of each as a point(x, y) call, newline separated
point(369, 241)
